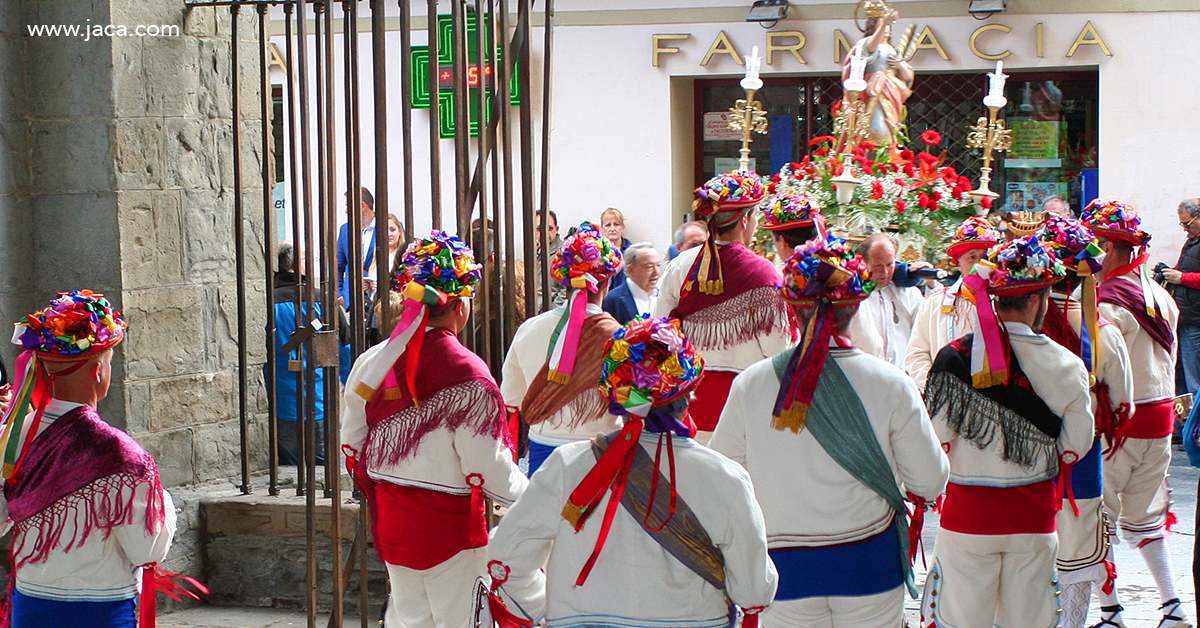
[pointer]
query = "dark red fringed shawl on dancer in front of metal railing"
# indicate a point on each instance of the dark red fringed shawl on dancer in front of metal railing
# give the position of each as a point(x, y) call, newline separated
point(457, 392)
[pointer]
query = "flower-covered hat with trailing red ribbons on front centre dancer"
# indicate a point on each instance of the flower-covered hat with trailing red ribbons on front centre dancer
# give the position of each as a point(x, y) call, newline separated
point(649, 364)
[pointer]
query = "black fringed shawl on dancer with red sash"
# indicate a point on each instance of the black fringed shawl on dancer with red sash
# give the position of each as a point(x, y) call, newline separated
point(1012, 412)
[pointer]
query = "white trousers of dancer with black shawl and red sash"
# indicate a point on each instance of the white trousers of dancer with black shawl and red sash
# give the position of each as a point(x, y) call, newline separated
point(986, 581)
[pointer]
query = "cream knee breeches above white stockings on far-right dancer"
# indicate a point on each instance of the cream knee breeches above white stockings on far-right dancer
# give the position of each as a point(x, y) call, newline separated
point(1136, 492)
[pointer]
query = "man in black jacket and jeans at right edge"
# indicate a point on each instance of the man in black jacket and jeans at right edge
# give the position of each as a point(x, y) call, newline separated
point(1184, 284)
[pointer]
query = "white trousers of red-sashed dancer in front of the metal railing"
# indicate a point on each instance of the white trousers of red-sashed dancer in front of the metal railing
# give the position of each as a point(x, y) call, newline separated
point(440, 597)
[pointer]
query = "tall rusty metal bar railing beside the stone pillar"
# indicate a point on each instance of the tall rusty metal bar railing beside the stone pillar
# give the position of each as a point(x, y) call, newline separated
point(485, 184)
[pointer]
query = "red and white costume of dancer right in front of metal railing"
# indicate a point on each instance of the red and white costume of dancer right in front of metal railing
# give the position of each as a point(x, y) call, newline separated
point(425, 469)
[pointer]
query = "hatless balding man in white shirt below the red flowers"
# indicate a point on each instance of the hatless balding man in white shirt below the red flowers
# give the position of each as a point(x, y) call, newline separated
point(885, 320)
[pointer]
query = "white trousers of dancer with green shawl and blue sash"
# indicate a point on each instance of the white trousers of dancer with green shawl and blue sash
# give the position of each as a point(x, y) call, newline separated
point(881, 611)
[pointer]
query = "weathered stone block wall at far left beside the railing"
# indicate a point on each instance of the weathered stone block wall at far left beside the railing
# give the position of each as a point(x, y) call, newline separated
point(117, 175)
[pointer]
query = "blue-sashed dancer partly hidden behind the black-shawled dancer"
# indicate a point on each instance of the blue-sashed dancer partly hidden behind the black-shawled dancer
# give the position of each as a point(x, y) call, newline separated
point(1077, 325)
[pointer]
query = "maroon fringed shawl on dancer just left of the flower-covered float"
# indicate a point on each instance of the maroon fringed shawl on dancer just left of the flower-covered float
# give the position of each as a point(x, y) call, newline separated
point(749, 308)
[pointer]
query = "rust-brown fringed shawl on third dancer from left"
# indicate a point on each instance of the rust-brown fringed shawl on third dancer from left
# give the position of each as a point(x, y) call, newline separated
point(581, 393)
